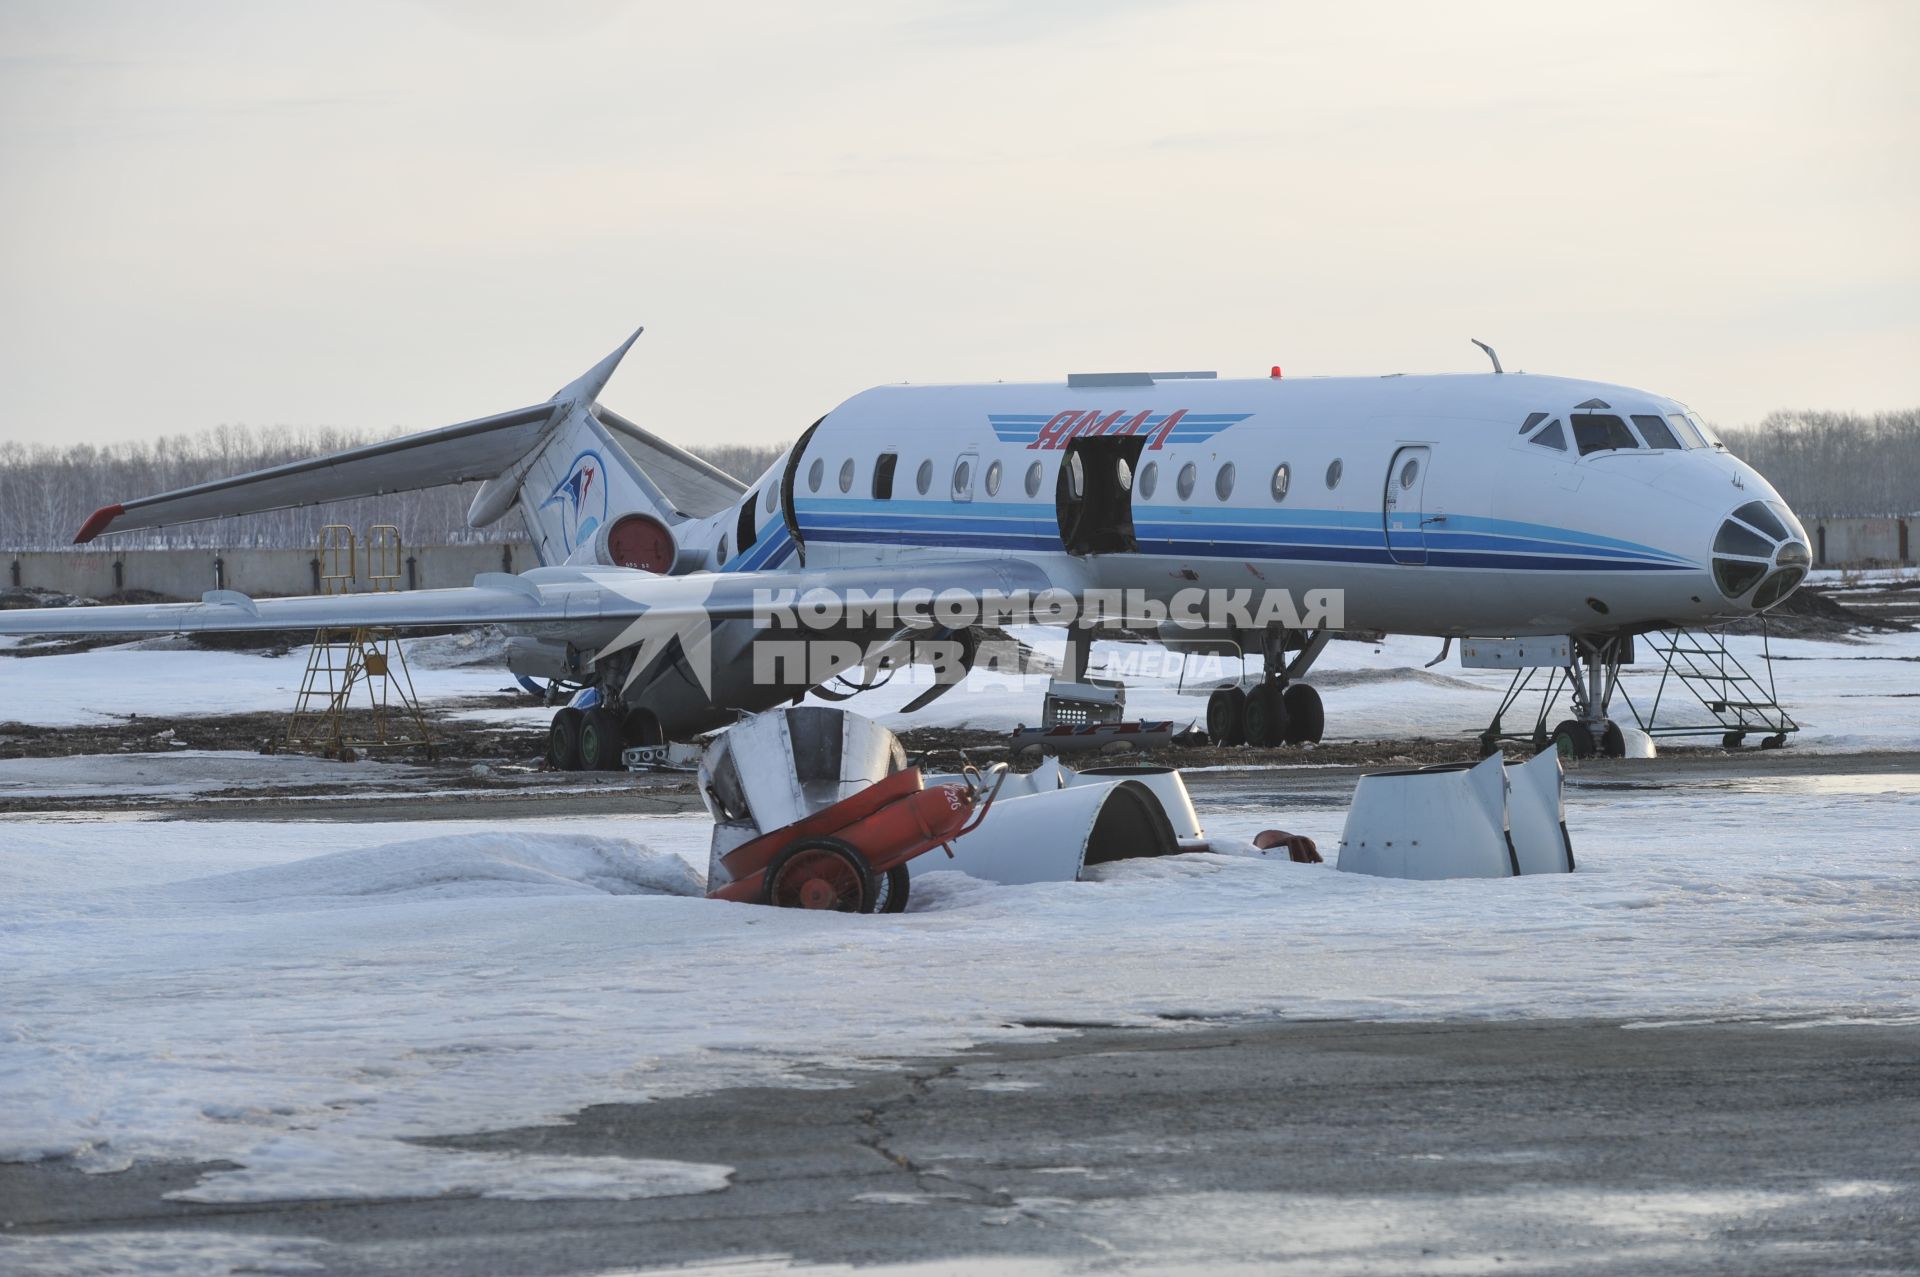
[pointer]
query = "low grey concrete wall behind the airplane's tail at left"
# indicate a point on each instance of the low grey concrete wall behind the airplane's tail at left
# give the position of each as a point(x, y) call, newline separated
point(191, 573)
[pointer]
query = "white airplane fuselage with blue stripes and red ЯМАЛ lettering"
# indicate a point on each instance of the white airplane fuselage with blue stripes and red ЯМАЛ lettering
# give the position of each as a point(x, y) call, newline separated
point(1491, 533)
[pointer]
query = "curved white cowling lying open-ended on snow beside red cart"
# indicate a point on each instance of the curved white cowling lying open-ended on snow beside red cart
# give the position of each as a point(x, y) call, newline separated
point(1057, 834)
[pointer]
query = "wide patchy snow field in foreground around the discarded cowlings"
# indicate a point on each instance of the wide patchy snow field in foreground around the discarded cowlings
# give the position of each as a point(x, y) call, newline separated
point(304, 1000)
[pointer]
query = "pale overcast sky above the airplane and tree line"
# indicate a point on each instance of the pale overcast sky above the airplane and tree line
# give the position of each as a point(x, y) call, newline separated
point(420, 212)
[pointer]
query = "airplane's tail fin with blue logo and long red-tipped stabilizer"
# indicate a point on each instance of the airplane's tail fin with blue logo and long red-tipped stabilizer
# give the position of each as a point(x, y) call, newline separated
point(556, 460)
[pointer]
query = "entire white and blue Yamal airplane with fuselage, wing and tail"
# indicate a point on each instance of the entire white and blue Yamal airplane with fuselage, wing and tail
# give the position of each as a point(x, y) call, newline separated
point(1451, 506)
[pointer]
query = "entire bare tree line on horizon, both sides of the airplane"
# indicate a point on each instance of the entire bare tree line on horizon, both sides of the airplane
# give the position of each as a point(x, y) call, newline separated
point(1825, 464)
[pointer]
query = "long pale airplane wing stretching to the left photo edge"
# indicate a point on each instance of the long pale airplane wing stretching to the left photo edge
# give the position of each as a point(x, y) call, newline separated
point(544, 598)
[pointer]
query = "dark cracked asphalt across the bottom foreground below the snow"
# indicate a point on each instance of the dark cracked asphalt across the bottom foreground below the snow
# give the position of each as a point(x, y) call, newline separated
point(1282, 1147)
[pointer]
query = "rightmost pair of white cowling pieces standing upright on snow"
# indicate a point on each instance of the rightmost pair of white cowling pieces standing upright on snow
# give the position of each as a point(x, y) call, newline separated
point(1458, 821)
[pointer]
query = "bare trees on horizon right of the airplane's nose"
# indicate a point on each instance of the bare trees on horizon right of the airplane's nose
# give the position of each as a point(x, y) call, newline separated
point(1836, 464)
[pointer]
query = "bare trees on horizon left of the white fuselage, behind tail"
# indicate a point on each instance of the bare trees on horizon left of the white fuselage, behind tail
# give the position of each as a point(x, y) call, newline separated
point(49, 491)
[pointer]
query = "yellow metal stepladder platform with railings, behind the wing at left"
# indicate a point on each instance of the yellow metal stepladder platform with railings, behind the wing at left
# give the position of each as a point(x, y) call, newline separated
point(366, 660)
